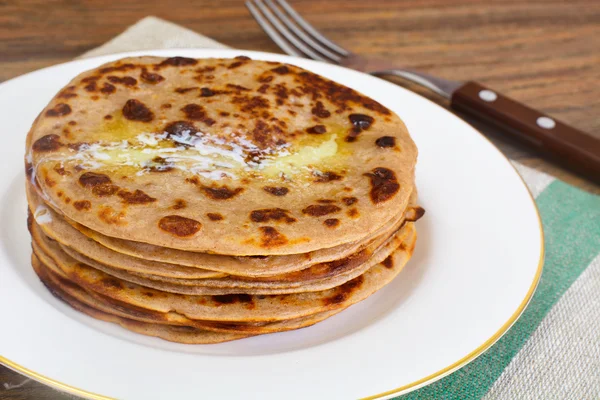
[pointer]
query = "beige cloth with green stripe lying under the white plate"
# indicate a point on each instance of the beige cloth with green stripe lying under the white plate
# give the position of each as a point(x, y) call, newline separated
point(553, 350)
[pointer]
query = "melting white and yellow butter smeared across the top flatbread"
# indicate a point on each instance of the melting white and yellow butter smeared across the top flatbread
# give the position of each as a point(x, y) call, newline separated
point(128, 149)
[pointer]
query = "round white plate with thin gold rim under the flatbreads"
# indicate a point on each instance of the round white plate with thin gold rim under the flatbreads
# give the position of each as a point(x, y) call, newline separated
point(477, 262)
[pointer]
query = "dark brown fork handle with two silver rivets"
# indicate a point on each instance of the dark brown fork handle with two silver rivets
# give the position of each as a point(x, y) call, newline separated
point(572, 148)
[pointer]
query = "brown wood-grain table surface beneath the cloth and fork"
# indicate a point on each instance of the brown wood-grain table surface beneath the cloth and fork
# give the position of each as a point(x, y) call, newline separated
point(543, 53)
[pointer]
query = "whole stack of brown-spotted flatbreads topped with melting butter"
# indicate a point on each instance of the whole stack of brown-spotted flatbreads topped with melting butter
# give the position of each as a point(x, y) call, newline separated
point(207, 200)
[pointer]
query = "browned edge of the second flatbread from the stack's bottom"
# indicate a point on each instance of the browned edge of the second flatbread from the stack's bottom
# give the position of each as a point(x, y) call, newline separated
point(240, 307)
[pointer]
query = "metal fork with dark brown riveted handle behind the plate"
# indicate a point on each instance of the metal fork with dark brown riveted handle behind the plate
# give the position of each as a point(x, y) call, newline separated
point(567, 145)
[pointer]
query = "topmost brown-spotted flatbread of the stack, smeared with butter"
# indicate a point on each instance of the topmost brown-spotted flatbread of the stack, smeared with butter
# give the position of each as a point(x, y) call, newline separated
point(229, 156)
